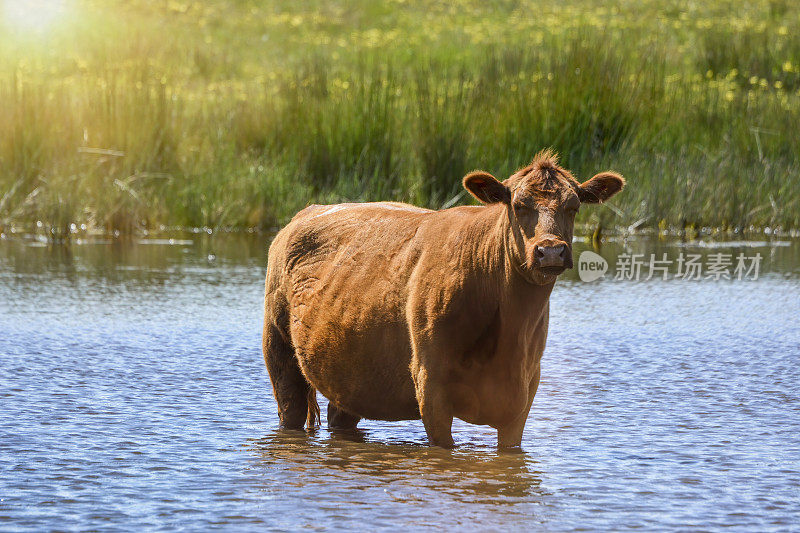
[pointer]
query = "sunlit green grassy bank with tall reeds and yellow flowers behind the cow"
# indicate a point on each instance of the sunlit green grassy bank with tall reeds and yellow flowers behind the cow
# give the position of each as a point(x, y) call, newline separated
point(128, 115)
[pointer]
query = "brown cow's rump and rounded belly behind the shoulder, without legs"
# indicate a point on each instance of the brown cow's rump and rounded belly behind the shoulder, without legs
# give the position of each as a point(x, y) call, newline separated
point(341, 272)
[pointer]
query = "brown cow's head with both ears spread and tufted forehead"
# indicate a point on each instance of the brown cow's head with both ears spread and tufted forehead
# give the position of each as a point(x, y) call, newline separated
point(541, 202)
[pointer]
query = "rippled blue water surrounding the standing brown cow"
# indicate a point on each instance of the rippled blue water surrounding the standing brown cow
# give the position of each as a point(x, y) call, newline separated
point(134, 396)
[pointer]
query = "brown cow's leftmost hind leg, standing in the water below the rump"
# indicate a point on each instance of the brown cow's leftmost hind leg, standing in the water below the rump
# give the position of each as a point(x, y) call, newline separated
point(292, 391)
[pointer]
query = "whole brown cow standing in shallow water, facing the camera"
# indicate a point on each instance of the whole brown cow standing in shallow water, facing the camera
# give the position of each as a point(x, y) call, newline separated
point(394, 312)
